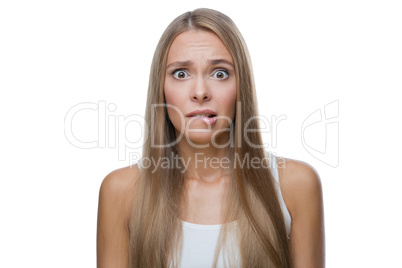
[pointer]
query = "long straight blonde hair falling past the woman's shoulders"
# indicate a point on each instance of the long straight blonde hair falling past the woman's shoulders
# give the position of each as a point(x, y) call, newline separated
point(155, 227)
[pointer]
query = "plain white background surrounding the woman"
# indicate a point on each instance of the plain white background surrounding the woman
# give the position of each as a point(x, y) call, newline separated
point(306, 54)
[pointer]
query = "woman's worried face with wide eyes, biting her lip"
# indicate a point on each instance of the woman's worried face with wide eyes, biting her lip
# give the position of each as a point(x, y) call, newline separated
point(200, 85)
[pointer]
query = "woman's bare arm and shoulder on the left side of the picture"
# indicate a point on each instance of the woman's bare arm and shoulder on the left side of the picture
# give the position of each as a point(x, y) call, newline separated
point(114, 210)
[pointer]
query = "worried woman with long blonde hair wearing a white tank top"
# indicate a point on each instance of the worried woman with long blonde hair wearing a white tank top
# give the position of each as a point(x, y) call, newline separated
point(206, 193)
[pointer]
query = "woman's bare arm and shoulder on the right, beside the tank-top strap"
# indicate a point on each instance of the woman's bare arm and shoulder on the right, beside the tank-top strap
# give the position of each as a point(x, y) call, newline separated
point(302, 191)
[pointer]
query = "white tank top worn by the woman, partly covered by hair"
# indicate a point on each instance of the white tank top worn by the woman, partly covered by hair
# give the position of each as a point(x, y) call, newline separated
point(199, 241)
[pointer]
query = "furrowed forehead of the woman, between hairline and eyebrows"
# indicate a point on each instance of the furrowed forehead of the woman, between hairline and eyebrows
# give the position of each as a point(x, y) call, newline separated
point(195, 44)
